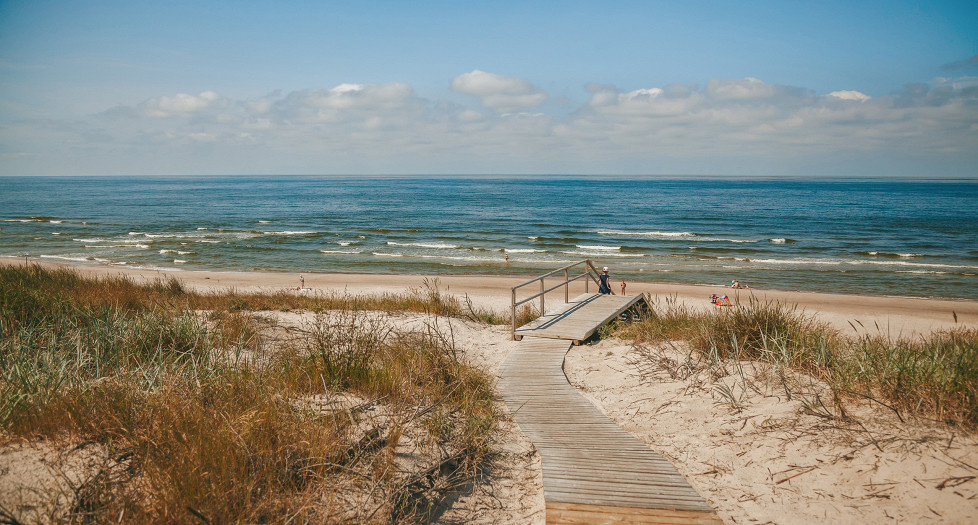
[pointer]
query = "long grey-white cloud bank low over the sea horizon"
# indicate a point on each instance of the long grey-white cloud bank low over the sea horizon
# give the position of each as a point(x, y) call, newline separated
point(728, 126)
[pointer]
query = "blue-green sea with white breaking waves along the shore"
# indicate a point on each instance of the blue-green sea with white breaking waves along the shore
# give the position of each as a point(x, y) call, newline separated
point(880, 237)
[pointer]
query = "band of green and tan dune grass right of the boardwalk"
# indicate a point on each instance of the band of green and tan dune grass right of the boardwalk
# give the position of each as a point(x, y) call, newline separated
point(933, 376)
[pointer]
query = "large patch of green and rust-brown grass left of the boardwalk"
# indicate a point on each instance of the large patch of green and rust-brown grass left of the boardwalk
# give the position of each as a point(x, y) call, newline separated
point(203, 417)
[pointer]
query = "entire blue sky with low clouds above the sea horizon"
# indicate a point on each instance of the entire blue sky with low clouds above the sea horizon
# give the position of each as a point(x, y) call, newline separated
point(740, 88)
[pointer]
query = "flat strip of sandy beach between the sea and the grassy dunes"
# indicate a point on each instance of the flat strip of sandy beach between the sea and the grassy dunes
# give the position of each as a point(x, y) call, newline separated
point(892, 316)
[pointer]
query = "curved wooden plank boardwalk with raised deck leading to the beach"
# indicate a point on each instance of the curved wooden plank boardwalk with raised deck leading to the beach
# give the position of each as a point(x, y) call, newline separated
point(593, 471)
